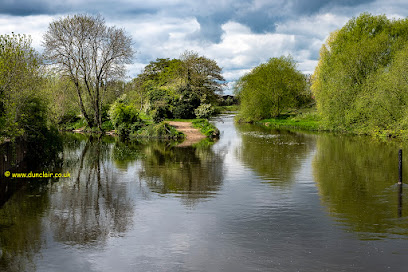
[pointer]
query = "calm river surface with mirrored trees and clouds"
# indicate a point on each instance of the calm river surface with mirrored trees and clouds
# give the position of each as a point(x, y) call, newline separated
point(257, 200)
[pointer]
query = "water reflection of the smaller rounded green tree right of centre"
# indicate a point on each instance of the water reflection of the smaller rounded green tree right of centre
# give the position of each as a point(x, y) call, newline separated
point(274, 155)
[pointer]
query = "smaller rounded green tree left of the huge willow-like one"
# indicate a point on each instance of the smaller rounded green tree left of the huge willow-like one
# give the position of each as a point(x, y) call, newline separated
point(270, 88)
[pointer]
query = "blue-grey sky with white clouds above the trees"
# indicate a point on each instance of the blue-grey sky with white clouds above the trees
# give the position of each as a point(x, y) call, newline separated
point(237, 34)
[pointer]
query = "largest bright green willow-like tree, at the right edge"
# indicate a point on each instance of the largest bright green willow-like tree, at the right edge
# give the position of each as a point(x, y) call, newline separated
point(359, 82)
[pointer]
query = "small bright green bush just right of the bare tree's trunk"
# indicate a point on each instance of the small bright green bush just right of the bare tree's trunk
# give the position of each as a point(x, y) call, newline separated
point(124, 117)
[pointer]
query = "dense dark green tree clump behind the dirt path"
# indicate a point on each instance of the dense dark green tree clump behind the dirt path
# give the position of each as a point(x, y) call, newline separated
point(173, 88)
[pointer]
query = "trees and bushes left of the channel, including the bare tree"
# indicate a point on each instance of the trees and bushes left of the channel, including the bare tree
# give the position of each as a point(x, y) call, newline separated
point(78, 82)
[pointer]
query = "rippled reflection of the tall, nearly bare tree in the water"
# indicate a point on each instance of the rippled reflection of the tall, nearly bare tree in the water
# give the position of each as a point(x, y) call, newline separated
point(93, 203)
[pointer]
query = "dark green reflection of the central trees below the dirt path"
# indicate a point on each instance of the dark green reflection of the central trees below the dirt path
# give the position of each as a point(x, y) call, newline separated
point(193, 172)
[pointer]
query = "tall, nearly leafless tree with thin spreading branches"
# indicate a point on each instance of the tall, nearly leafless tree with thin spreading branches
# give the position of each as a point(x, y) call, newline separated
point(84, 49)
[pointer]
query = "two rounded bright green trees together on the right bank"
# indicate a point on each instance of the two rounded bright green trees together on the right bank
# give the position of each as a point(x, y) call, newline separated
point(359, 85)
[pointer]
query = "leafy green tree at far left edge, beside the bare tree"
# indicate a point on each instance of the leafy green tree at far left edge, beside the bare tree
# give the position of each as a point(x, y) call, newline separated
point(20, 82)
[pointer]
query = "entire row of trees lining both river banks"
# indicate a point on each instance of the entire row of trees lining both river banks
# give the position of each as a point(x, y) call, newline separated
point(360, 83)
